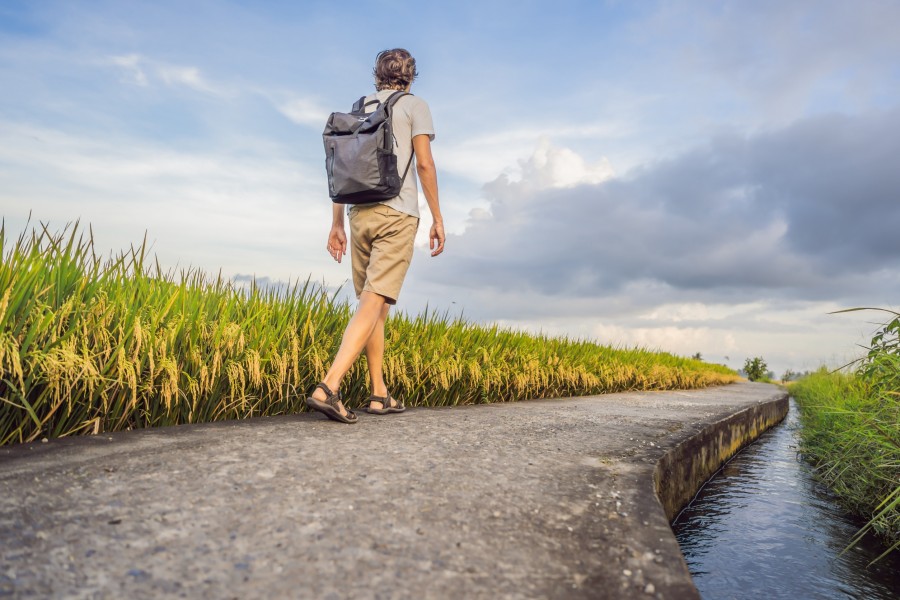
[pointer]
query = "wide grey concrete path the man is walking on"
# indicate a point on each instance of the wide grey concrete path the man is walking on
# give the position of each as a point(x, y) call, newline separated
point(537, 499)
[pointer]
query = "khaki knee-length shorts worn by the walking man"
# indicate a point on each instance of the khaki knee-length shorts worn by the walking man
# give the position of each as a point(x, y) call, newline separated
point(381, 247)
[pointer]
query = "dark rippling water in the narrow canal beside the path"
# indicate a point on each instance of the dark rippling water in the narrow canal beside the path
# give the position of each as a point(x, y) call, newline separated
point(764, 528)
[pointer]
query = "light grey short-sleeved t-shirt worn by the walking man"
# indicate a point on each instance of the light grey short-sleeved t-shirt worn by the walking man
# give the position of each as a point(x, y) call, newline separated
point(411, 117)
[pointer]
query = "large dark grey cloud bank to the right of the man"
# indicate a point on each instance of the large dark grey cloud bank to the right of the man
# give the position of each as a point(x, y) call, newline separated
point(809, 212)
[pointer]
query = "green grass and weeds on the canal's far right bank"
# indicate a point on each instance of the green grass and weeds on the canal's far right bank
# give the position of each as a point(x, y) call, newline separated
point(851, 432)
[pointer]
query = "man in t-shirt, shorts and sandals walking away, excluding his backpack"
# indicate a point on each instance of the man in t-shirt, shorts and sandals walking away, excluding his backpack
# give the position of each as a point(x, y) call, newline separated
point(381, 242)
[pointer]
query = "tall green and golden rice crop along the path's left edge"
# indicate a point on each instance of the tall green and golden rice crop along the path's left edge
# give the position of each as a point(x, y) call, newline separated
point(90, 345)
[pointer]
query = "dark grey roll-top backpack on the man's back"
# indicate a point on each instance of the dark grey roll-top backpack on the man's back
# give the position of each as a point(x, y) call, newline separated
point(359, 154)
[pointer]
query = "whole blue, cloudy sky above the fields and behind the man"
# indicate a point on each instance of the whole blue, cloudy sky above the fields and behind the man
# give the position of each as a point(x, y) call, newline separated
point(688, 176)
